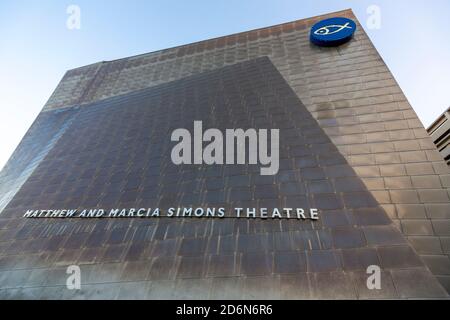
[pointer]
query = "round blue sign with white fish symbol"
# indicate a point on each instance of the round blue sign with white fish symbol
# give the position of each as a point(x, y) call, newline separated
point(332, 32)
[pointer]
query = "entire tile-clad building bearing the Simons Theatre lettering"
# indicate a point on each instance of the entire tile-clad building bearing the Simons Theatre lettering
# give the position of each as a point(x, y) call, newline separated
point(357, 181)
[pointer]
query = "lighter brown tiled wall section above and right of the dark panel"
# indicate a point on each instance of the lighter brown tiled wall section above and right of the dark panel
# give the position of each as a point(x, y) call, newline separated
point(351, 93)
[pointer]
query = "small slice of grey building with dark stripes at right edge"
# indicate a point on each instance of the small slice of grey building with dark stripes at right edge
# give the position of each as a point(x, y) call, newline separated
point(440, 134)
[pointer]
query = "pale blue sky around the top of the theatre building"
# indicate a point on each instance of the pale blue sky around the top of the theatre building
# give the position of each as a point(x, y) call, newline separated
point(36, 47)
